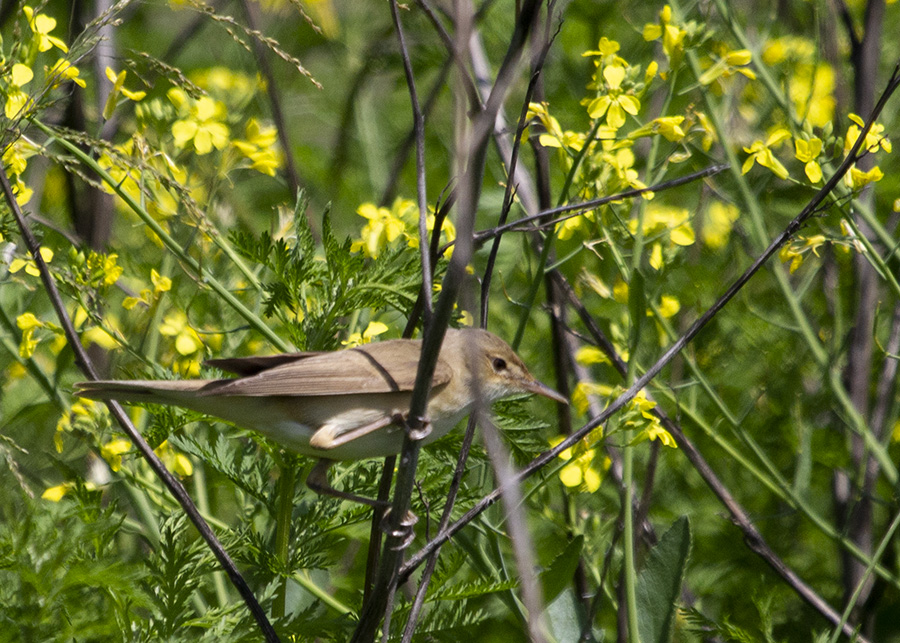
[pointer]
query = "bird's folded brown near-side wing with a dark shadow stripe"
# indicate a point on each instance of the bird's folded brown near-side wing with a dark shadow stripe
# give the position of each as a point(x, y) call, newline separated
point(385, 367)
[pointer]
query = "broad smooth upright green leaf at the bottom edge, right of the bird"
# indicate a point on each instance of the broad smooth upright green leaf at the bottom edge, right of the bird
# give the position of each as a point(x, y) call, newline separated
point(659, 583)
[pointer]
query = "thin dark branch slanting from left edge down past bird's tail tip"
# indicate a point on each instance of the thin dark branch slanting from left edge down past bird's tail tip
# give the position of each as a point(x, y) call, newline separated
point(169, 480)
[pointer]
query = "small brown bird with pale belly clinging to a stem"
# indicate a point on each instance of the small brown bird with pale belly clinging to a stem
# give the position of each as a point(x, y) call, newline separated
point(344, 405)
